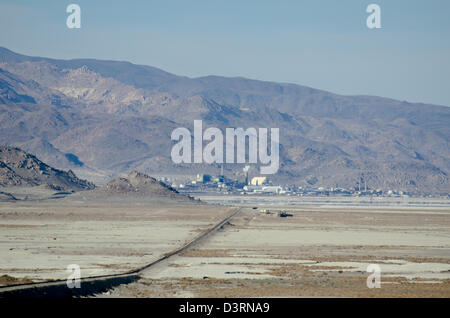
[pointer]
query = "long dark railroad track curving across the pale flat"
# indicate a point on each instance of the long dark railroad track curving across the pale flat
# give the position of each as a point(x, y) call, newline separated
point(97, 284)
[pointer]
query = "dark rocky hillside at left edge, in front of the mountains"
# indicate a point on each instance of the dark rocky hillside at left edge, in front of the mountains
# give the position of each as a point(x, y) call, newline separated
point(18, 168)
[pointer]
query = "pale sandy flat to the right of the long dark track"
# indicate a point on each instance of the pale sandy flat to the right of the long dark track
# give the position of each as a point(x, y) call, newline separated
point(322, 250)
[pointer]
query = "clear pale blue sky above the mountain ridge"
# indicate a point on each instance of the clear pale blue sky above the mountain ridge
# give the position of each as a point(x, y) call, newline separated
point(323, 44)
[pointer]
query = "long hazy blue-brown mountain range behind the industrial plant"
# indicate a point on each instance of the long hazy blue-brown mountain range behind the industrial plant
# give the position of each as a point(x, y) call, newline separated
point(103, 119)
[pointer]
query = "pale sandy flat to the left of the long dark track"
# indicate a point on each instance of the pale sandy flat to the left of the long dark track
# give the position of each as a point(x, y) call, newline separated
point(39, 239)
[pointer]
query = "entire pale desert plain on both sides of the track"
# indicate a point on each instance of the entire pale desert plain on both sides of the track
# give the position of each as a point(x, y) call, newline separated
point(323, 249)
